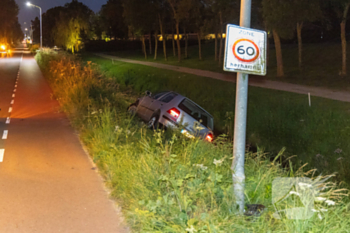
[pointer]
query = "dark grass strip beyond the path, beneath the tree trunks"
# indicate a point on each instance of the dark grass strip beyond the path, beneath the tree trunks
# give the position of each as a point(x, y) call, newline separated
point(322, 63)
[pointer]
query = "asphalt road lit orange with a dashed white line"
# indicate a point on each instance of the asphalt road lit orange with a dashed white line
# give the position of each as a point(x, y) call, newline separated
point(47, 181)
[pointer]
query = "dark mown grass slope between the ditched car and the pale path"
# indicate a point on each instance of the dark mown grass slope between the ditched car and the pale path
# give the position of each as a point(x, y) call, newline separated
point(275, 119)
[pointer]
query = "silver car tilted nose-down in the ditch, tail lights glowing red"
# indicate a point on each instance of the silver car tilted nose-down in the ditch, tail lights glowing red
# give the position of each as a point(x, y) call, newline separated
point(170, 109)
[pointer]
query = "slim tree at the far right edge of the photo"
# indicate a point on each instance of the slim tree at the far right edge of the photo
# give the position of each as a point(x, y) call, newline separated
point(341, 7)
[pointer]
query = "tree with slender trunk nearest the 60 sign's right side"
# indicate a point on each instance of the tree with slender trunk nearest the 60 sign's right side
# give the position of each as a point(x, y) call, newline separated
point(278, 17)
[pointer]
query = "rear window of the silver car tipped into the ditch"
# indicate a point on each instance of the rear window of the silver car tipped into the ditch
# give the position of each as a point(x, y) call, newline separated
point(197, 113)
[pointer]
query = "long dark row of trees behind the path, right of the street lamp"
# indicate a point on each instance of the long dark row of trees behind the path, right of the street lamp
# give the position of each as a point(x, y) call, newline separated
point(71, 25)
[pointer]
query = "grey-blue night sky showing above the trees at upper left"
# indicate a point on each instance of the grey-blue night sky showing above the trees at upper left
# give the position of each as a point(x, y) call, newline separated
point(26, 14)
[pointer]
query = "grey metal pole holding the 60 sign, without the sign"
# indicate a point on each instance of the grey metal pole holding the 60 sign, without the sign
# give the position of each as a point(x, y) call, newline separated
point(240, 120)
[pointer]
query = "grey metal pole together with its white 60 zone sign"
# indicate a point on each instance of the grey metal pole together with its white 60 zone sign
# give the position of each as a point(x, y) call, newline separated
point(245, 54)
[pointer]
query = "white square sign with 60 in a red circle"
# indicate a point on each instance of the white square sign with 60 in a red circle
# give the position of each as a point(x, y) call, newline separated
point(245, 50)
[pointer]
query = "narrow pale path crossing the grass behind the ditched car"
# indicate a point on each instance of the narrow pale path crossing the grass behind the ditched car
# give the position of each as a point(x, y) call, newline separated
point(253, 81)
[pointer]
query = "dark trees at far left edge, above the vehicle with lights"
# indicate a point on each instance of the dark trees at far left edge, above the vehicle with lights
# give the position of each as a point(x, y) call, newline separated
point(10, 29)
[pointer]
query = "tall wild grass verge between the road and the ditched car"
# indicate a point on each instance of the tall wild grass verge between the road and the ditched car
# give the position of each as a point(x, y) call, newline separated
point(164, 181)
